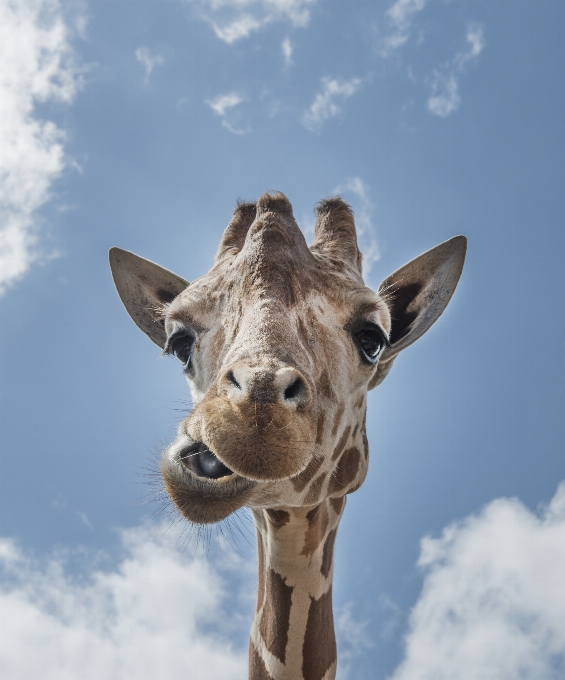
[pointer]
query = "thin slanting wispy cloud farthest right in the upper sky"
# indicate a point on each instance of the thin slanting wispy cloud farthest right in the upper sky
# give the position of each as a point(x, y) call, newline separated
point(445, 98)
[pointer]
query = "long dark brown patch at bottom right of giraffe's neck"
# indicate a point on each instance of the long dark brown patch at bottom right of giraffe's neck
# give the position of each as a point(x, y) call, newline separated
point(319, 649)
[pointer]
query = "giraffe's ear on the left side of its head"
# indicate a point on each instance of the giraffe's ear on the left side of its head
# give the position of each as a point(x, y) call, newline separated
point(144, 287)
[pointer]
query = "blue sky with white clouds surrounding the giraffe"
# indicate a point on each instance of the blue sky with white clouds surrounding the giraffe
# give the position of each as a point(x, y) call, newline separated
point(139, 124)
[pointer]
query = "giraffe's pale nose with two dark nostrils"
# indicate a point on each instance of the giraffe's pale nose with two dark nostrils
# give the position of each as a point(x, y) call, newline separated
point(286, 385)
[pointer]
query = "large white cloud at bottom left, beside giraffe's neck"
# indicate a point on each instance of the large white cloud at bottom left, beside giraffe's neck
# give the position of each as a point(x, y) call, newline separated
point(158, 614)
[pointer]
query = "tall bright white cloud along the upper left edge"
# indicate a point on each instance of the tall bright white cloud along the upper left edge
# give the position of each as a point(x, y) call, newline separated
point(38, 66)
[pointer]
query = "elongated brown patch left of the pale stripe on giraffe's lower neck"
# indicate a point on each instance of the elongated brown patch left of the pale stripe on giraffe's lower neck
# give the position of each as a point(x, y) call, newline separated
point(275, 619)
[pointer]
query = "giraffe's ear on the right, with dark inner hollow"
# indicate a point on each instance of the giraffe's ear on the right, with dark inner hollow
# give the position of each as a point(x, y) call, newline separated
point(417, 294)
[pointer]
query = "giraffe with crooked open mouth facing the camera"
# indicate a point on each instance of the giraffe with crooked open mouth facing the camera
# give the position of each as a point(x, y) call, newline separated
point(280, 343)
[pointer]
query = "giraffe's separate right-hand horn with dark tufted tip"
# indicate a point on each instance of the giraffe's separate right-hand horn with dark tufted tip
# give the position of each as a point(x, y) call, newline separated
point(335, 235)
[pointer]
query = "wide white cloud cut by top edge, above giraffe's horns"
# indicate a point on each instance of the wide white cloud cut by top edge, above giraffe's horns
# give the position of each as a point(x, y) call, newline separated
point(233, 20)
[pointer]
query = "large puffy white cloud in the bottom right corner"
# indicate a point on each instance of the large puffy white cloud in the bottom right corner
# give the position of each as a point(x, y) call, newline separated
point(493, 601)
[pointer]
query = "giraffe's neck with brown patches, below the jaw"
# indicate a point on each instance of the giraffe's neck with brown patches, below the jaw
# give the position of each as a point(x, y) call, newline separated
point(292, 637)
